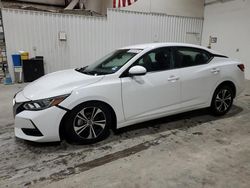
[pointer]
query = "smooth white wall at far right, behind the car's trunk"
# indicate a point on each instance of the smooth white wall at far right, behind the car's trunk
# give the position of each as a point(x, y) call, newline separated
point(230, 23)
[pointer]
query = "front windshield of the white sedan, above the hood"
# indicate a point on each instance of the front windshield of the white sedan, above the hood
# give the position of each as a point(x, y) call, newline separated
point(111, 63)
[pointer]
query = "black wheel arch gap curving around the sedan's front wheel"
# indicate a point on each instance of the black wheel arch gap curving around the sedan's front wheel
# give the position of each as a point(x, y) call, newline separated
point(63, 121)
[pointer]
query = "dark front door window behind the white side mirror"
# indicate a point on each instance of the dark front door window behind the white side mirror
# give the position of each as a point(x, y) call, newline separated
point(156, 60)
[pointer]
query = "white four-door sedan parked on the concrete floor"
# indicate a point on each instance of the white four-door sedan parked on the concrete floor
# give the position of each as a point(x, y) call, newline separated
point(128, 86)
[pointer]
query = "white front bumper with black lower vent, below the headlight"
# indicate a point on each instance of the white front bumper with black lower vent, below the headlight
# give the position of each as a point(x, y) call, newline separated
point(39, 126)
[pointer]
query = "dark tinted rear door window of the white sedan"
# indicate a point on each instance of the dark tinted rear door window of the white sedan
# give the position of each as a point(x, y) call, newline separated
point(186, 57)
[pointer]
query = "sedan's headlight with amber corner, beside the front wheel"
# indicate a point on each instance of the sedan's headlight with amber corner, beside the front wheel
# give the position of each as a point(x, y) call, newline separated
point(44, 103)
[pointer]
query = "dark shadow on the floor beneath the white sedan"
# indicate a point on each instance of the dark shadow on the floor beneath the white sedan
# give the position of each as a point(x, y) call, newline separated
point(177, 122)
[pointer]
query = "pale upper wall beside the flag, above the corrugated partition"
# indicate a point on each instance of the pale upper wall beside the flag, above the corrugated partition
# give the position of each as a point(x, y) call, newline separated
point(191, 8)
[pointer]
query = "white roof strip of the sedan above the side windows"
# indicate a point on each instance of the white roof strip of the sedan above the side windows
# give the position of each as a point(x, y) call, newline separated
point(169, 44)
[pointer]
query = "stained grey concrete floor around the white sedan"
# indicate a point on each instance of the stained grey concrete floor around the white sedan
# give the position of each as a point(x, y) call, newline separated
point(188, 150)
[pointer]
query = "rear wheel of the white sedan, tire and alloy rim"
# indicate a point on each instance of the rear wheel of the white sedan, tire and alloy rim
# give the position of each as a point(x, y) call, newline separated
point(222, 100)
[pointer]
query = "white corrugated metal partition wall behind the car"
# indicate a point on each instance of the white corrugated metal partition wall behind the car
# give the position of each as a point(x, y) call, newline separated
point(89, 38)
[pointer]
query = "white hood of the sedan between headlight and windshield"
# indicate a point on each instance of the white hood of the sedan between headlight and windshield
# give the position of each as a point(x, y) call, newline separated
point(58, 83)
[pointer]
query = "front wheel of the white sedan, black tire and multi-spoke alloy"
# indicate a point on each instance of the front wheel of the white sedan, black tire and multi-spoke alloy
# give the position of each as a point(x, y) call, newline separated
point(88, 123)
